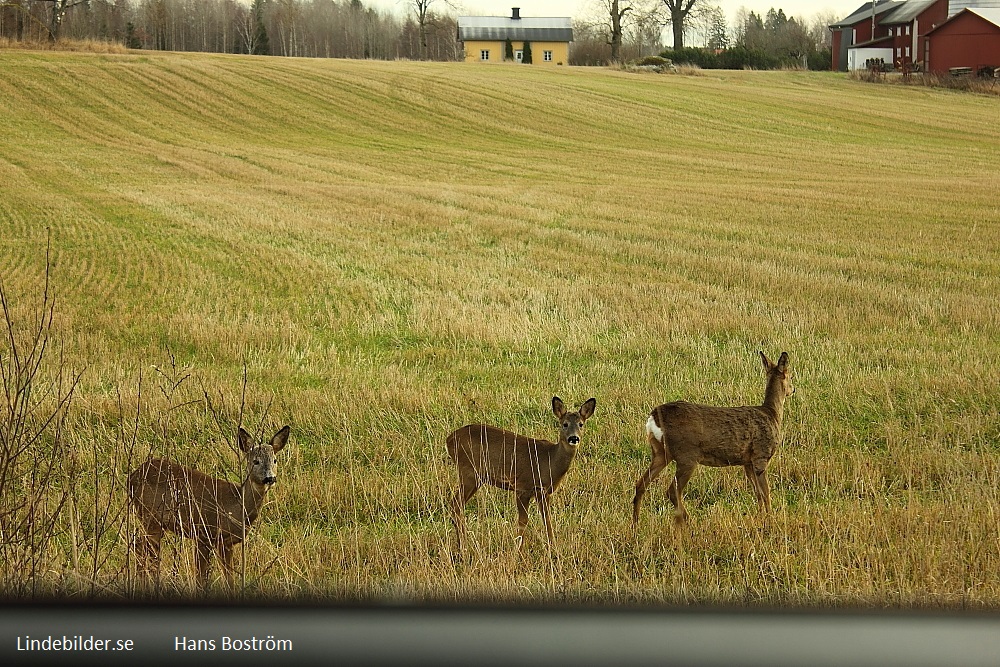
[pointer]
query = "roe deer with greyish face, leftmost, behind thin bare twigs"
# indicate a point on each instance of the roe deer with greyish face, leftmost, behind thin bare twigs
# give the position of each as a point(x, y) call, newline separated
point(217, 514)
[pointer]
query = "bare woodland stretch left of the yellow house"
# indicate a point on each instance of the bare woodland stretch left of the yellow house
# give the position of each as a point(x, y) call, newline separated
point(306, 28)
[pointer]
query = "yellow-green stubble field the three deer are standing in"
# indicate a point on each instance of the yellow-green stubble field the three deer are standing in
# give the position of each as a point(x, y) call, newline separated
point(388, 251)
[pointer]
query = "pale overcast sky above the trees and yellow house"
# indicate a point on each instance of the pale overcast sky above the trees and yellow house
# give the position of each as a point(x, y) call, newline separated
point(578, 8)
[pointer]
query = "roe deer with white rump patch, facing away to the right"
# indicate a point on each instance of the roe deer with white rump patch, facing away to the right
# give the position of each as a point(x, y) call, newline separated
point(691, 434)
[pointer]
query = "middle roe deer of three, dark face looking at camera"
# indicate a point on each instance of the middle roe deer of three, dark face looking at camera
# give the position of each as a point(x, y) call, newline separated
point(530, 468)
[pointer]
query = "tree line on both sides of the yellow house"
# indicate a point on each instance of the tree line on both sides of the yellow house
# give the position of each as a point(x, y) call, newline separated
point(616, 30)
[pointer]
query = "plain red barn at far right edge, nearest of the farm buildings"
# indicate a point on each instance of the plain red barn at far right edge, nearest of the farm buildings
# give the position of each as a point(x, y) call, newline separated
point(970, 38)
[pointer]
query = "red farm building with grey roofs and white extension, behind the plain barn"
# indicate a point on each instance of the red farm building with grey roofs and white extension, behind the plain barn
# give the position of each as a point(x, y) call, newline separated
point(895, 31)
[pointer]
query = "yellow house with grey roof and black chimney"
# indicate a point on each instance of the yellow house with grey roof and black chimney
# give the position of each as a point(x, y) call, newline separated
point(485, 38)
